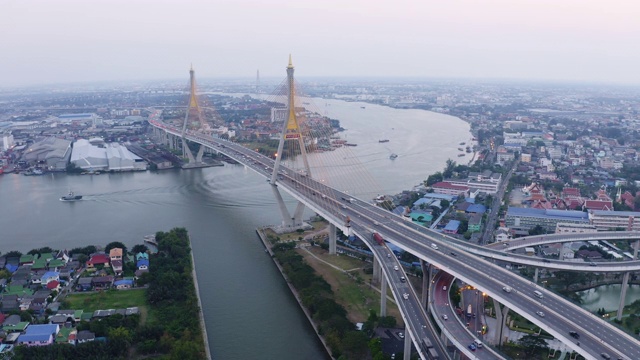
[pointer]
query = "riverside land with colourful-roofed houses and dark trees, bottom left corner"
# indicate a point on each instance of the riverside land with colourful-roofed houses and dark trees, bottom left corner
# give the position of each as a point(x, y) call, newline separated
point(110, 304)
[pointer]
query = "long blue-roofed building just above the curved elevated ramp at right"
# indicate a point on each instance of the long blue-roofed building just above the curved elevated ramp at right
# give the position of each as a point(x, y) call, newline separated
point(528, 218)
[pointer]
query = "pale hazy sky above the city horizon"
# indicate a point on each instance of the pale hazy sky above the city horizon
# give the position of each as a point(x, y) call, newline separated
point(54, 41)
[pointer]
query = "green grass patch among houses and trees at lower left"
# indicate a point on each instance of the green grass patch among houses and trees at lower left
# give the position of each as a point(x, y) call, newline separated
point(111, 299)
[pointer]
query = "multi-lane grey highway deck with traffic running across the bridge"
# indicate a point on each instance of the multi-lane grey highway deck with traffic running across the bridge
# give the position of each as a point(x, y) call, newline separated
point(454, 257)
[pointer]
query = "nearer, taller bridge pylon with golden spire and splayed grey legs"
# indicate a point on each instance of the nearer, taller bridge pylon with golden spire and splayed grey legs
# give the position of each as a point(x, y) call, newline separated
point(290, 132)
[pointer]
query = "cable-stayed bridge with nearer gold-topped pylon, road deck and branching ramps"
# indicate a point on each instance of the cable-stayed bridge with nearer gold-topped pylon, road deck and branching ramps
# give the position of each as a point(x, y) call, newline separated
point(473, 264)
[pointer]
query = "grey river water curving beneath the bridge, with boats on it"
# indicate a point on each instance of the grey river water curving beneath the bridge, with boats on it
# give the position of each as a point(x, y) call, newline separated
point(249, 311)
